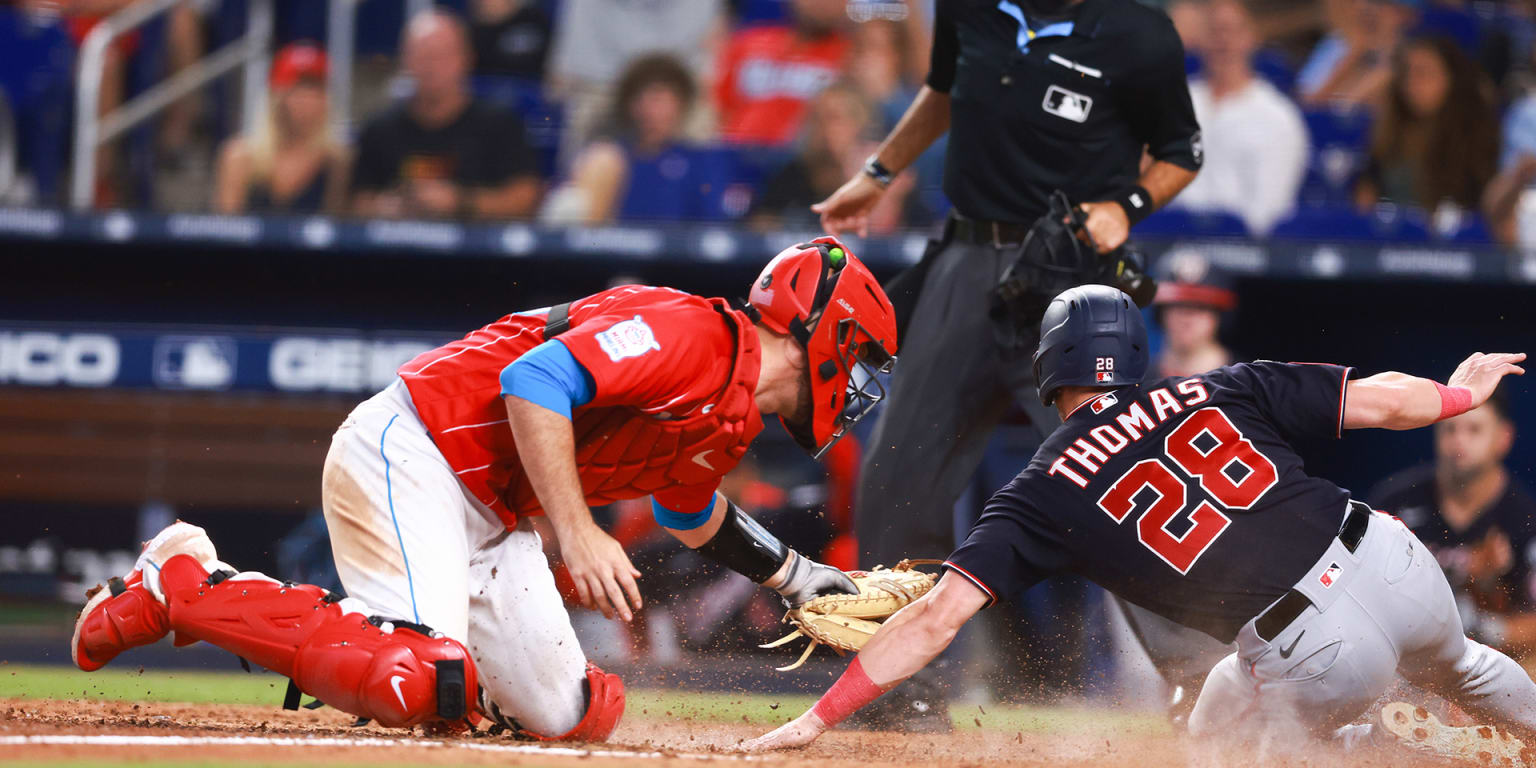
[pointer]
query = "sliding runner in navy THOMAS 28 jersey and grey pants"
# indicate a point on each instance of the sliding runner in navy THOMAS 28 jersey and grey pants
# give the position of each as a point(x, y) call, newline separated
point(1187, 497)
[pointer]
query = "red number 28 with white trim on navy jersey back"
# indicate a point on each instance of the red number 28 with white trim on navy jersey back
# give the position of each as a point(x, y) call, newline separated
point(1211, 451)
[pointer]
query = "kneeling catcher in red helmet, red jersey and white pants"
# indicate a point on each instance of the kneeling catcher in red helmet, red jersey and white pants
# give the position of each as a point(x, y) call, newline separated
point(452, 612)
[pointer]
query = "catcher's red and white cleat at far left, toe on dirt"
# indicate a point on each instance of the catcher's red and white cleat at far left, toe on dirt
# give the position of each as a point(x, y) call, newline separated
point(127, 614)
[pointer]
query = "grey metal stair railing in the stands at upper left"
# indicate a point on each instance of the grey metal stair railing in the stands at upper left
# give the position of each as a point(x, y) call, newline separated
point(251, 51)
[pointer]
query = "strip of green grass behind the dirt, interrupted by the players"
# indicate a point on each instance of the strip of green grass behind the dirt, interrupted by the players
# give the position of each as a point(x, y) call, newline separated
point(649, 704)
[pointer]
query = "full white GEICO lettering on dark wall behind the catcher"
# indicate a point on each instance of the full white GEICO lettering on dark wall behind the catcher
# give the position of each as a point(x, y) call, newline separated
point(339, 365)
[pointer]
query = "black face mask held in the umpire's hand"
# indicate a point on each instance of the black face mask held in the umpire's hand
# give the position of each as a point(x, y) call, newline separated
point(1059, 254)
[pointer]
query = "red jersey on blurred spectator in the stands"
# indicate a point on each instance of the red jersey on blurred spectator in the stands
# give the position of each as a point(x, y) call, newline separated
point(769, 76)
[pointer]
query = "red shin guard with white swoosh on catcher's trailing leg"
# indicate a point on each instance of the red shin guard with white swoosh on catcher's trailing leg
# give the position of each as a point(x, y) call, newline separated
point(399, 678)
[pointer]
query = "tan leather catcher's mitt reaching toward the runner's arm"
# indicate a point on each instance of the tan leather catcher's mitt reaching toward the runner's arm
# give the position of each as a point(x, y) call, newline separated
point(849, 621)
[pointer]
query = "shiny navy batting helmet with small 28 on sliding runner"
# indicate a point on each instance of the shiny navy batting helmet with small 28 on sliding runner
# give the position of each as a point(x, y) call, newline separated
point(1091, 337)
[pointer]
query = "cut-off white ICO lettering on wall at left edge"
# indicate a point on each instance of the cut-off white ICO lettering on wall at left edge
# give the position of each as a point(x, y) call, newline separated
point(79, 360)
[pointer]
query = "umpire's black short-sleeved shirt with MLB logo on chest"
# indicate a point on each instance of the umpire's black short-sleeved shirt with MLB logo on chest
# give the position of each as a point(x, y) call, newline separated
point(1044, 105)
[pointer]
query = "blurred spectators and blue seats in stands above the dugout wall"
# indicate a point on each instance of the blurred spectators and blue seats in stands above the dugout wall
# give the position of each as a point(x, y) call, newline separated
point(1334, 119)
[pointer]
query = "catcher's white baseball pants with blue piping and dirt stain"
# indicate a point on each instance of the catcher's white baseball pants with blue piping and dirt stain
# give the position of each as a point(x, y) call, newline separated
point(411, 541)
